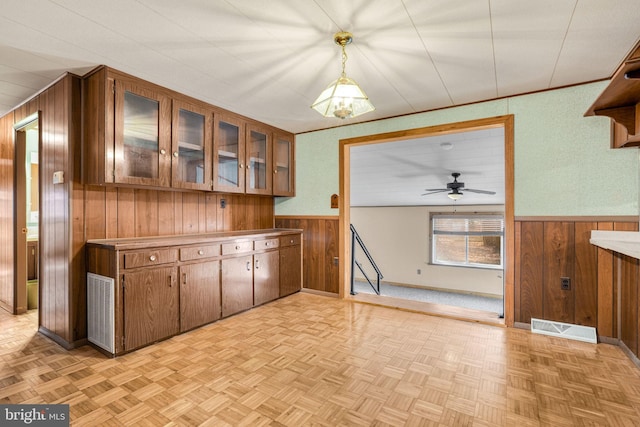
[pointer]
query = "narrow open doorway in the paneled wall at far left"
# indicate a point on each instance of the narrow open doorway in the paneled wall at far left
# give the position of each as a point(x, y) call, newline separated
point(26, 214)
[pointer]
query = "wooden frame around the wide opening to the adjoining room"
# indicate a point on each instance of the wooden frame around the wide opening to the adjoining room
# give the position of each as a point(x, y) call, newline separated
point(506, 122)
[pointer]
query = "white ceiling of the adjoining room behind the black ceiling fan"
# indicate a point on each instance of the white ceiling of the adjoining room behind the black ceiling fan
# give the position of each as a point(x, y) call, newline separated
point(398, 173)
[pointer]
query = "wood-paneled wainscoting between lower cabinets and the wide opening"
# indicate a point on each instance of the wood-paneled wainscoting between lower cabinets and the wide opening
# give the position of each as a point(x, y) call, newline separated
point(319, 250)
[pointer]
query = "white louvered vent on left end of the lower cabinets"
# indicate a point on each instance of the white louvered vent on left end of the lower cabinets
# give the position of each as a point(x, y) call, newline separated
point(100, 311)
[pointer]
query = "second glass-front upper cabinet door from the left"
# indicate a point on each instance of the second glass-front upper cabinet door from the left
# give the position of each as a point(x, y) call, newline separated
point(191, 142)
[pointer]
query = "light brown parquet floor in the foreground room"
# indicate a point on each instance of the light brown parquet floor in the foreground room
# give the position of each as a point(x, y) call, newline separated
point(312, 360)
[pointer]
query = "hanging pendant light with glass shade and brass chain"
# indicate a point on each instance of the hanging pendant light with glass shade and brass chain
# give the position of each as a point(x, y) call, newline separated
point(343, 98)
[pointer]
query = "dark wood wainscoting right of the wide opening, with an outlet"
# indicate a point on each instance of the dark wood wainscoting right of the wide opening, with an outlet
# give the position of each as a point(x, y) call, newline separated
point(603, 285)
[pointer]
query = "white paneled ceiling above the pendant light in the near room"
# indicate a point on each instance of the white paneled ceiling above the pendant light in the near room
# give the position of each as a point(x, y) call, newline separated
point(269, 59)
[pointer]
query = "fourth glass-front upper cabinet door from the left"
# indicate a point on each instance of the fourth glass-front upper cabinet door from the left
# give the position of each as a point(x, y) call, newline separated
point(258, 158)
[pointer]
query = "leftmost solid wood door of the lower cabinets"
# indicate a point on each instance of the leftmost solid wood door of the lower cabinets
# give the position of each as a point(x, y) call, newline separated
point(151, 306)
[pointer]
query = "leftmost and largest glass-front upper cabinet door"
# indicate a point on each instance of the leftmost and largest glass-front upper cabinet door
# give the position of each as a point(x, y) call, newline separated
point(142, 136)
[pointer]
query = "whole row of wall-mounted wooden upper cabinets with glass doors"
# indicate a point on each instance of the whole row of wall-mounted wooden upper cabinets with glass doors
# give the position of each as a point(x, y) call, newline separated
point(140, 134)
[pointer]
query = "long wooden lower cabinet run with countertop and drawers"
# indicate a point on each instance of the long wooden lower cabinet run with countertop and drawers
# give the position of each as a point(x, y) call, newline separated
point(168, 285)
